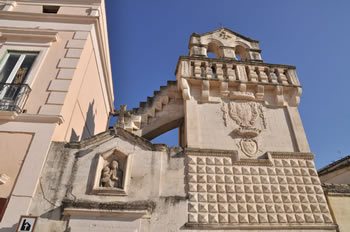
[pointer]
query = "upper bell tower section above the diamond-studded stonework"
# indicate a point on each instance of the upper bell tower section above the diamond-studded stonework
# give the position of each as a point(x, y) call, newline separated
point(235, 101)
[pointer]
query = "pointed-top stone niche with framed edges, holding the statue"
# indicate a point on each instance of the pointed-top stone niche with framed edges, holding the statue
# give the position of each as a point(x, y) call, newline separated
point(112, 171)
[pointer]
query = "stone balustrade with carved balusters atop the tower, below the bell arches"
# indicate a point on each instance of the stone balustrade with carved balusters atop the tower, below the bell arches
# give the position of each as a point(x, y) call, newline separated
point(231, 70)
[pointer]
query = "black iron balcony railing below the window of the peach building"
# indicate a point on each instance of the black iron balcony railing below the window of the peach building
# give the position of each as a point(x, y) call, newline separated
point(13, 96)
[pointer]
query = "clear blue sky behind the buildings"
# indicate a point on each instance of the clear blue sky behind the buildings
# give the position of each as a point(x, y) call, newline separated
point(147, 37)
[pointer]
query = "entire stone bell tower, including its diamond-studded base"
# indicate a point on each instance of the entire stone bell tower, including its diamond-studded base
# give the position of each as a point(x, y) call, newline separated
point(248, 162)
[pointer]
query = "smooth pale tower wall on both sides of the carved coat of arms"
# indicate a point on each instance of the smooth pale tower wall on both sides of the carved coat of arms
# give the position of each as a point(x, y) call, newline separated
point(206, 128)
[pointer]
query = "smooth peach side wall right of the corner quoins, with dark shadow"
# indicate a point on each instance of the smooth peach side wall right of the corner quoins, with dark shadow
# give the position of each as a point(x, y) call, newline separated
point(85, 113)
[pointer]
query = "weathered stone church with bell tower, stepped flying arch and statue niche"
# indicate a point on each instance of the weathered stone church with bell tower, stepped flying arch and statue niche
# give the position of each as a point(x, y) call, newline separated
point(243, 164)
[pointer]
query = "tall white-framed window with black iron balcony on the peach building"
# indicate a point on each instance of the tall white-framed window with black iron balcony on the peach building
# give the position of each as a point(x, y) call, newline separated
point(14, 69)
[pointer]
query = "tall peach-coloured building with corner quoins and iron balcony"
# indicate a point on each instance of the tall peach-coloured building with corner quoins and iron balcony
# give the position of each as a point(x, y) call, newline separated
point(55, 85)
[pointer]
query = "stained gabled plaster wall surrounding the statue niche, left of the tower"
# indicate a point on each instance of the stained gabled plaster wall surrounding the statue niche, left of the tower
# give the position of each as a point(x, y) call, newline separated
point(157, 179)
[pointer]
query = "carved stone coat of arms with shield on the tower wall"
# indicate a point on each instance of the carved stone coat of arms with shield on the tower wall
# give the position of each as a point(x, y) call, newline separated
point(250, 119)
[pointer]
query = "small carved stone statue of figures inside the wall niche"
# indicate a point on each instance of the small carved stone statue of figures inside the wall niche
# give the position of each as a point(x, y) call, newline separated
point(111, 175)
